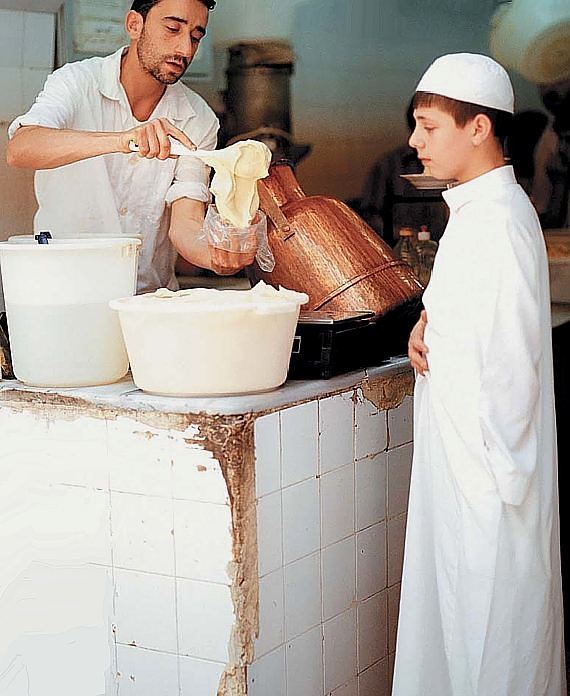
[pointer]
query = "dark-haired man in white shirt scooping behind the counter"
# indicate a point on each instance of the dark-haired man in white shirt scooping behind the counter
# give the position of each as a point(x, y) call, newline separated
point(79, 132)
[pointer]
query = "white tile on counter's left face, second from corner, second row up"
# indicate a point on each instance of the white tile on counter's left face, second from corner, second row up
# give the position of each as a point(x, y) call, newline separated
point(145, 610)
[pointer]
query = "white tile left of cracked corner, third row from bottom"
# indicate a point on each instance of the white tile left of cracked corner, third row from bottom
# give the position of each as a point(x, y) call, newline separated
point(203, 540)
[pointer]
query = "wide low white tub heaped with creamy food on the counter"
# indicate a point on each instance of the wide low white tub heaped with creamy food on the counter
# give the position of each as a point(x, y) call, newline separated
point(204, 342)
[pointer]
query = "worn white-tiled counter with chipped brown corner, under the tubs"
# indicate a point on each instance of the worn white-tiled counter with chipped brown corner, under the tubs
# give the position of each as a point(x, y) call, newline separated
point(246, 546)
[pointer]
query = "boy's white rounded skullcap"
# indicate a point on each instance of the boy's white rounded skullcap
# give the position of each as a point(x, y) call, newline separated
point(472, 78)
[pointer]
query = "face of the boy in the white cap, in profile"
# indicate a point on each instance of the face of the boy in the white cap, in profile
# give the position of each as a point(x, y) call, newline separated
point(444, 148)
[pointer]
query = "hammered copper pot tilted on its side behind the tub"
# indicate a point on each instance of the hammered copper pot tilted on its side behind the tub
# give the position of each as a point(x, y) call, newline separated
point(323, 248)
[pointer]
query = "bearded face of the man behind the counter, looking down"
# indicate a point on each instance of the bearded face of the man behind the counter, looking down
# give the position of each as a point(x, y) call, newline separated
point(170, 37)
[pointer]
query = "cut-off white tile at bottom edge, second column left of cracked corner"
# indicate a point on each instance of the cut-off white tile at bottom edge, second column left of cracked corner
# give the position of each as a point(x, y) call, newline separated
point(146, 673)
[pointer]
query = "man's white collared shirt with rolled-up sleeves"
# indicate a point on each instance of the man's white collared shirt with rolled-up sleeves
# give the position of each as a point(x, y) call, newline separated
point(118, 194)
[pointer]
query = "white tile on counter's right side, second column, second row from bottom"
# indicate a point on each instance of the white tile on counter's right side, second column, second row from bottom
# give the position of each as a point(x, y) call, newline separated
point(302, 595)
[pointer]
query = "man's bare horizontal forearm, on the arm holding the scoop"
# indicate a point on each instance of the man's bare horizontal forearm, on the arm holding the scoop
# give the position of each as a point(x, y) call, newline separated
point(36, 147)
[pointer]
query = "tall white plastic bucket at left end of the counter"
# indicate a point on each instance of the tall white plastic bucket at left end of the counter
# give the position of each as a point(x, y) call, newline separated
point(62, 332)
